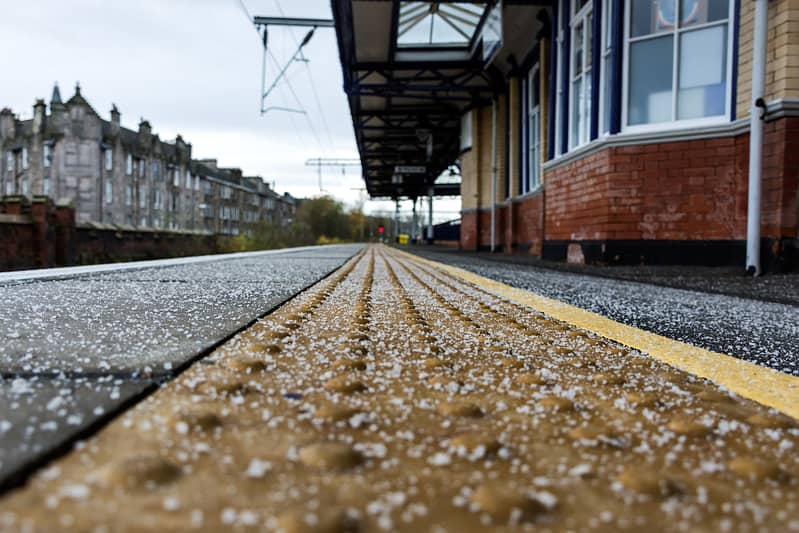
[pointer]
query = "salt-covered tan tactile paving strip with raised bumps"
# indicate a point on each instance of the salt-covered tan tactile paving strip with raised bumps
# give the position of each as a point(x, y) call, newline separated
point(396, 397)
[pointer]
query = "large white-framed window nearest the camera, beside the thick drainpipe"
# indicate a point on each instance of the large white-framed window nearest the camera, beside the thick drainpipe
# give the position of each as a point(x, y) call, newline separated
point(677, 60)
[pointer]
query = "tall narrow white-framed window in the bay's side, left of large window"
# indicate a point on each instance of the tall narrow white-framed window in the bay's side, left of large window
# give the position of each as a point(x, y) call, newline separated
point(581, 55)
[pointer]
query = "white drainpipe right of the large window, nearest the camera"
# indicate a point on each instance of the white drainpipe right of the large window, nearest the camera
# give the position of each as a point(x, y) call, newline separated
point(756, 138)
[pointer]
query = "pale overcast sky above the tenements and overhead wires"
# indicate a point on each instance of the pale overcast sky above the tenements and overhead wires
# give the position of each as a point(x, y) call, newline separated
point(193, 67)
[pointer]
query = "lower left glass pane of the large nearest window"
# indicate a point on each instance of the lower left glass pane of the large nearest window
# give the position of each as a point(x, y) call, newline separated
point(650, 80)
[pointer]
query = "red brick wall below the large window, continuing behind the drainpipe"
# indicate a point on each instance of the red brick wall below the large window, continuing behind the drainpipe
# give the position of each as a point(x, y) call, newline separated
point(686, 190)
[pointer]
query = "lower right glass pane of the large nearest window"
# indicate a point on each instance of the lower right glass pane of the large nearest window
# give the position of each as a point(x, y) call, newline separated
point(703, 73)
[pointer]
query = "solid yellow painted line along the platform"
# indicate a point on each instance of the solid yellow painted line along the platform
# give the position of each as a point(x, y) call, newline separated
point(758, 383)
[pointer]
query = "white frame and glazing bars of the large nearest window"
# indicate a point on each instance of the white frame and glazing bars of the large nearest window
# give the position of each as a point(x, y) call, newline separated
point(675, 123)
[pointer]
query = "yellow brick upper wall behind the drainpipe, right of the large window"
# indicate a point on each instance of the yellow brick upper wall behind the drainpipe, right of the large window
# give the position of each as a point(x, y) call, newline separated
point(782, 66)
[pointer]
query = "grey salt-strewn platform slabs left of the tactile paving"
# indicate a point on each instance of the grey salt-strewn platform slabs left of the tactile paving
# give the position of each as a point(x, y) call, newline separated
point(75, 349)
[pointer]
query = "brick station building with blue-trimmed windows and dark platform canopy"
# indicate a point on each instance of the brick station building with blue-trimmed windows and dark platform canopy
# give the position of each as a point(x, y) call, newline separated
point(609, 131)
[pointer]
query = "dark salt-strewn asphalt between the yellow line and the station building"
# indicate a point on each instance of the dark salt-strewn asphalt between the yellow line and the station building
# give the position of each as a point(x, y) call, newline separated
point(762, 332)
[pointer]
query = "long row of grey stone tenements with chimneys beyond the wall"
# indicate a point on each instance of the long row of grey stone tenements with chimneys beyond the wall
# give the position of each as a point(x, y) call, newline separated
point(113, 175)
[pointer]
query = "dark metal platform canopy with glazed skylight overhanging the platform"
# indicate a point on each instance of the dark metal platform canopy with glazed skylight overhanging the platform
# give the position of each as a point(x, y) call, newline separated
point(411, 71)
